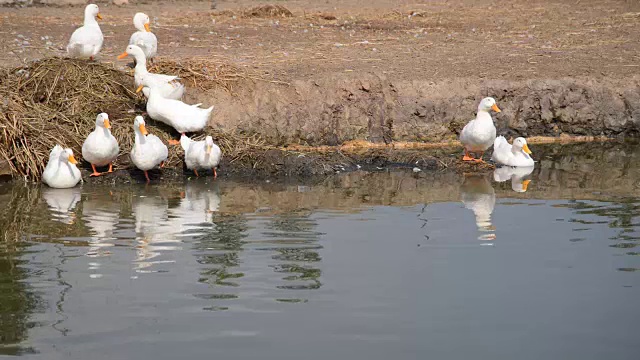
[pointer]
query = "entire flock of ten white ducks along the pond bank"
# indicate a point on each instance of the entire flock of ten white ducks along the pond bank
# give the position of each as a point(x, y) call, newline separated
point(163, 94)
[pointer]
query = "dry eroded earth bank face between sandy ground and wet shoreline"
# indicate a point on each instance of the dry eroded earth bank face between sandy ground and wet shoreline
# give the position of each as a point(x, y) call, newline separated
point(376, 108)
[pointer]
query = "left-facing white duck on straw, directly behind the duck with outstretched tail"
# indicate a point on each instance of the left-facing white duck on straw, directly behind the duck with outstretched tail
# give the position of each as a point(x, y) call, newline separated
point(169, 87)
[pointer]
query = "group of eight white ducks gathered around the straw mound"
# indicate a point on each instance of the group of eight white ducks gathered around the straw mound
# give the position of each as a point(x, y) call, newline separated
point(163, 93)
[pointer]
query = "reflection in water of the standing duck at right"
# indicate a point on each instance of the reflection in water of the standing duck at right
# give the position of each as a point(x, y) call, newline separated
point(478, 195)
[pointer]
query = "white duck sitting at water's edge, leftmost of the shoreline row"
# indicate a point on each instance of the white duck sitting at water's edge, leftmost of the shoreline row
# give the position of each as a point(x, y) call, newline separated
point(61, 171)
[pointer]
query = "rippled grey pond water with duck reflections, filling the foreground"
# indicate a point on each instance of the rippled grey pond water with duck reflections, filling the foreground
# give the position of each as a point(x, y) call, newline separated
point(393, 264)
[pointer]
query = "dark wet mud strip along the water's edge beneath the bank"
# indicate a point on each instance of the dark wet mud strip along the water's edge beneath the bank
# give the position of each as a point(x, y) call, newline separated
point(306, 166)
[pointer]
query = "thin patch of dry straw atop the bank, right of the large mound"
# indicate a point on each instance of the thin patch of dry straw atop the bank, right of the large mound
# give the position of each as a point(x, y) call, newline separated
point(203, 74)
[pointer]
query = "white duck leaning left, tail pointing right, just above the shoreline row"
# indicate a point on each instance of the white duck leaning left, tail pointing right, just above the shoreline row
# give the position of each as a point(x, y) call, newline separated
point(182, 117)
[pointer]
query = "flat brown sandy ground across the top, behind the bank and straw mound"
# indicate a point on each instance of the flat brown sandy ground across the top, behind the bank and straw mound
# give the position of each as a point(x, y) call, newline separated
point(507, 40)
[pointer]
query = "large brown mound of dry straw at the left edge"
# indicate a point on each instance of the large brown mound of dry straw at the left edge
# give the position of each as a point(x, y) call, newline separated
point(55, 101)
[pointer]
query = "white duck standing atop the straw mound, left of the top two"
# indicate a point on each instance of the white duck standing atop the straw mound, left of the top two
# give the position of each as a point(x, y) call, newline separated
point(87, 40)
